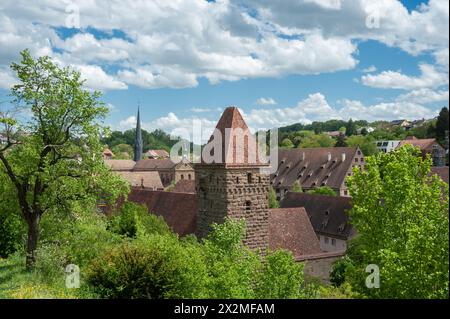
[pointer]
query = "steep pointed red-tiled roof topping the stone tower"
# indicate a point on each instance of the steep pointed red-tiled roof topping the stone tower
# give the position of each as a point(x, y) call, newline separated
point(238, 145)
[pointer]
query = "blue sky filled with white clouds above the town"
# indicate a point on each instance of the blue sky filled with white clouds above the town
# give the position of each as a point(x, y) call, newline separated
point(281, 62)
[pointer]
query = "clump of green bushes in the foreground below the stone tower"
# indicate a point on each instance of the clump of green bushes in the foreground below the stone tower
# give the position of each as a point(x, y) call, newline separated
point(164, 266)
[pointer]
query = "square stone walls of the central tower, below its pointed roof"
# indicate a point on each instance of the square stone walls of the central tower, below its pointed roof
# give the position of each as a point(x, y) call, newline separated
point(236, 193)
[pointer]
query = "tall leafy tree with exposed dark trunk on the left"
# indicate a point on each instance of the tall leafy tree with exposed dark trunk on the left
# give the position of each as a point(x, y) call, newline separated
point(54, 159)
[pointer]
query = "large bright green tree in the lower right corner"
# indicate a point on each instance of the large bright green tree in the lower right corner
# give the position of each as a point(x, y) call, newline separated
point(401, 216)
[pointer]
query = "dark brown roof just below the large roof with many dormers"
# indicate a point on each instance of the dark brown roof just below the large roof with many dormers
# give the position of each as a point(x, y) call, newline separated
point(328, 214)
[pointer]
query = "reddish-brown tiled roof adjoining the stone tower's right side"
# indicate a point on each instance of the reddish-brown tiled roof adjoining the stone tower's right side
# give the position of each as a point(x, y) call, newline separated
point(290, 228)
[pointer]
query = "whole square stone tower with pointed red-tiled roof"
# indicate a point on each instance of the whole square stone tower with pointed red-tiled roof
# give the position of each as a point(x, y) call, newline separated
point(230, 181)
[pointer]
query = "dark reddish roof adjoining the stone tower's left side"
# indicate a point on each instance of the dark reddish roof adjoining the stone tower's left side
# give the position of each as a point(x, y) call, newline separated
point(179, 210)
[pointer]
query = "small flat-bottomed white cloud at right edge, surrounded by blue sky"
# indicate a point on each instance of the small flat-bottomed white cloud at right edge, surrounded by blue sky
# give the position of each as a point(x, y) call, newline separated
point(429, 78)
